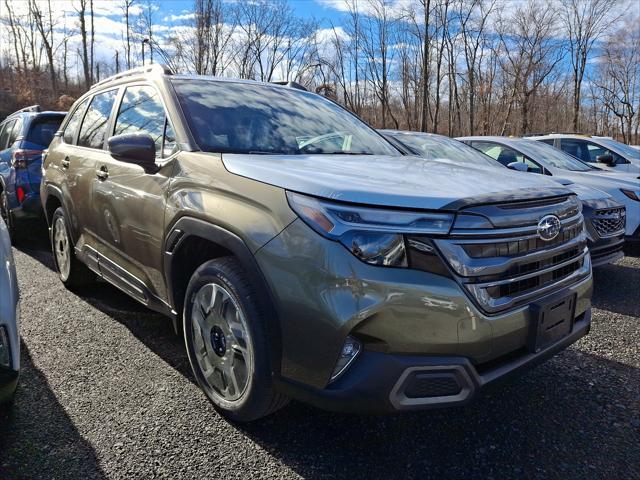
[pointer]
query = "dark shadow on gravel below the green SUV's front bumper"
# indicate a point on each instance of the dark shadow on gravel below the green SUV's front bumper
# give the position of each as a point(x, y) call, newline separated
point(550, 423)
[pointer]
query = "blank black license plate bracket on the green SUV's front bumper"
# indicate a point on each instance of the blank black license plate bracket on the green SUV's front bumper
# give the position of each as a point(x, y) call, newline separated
point(551, 321)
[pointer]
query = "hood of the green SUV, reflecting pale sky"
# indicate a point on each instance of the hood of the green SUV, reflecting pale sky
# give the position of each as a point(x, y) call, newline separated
point(402, 181)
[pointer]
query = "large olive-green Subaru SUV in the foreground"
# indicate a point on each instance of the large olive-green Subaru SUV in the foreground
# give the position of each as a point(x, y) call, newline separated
point(301, 254)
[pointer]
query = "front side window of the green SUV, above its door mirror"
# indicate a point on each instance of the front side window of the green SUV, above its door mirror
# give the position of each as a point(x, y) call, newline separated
point(141, 111)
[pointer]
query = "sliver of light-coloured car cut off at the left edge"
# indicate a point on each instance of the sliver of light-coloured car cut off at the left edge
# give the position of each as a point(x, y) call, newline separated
point(9, 318)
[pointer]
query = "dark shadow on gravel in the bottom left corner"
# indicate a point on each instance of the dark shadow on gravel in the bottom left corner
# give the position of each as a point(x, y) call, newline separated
point(37, 438)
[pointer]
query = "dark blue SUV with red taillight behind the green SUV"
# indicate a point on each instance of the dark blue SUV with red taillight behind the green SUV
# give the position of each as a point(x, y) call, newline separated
point(23, 137)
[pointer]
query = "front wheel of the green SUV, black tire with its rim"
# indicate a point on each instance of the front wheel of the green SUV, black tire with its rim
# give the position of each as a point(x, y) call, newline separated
point(227, 341)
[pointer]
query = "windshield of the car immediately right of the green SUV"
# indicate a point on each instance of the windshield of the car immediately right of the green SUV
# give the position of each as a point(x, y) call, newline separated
point(437, 147)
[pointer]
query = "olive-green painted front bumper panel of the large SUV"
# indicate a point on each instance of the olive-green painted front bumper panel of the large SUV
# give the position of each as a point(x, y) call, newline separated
point(322, 294)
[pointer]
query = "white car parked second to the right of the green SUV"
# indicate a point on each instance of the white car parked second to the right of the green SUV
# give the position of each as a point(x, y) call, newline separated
point(543, 159)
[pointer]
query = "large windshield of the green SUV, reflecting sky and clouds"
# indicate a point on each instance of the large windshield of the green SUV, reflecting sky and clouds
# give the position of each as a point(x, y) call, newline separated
point(235, 117)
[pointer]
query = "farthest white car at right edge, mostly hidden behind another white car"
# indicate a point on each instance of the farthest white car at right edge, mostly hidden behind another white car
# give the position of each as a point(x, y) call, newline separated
point(600, 151)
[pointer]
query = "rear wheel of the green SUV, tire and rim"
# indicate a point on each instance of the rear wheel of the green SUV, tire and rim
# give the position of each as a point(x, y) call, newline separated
point(73, 273)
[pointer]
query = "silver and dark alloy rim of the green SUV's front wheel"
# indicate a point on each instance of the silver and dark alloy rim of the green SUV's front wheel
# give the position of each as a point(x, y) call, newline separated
point(222, 344)
